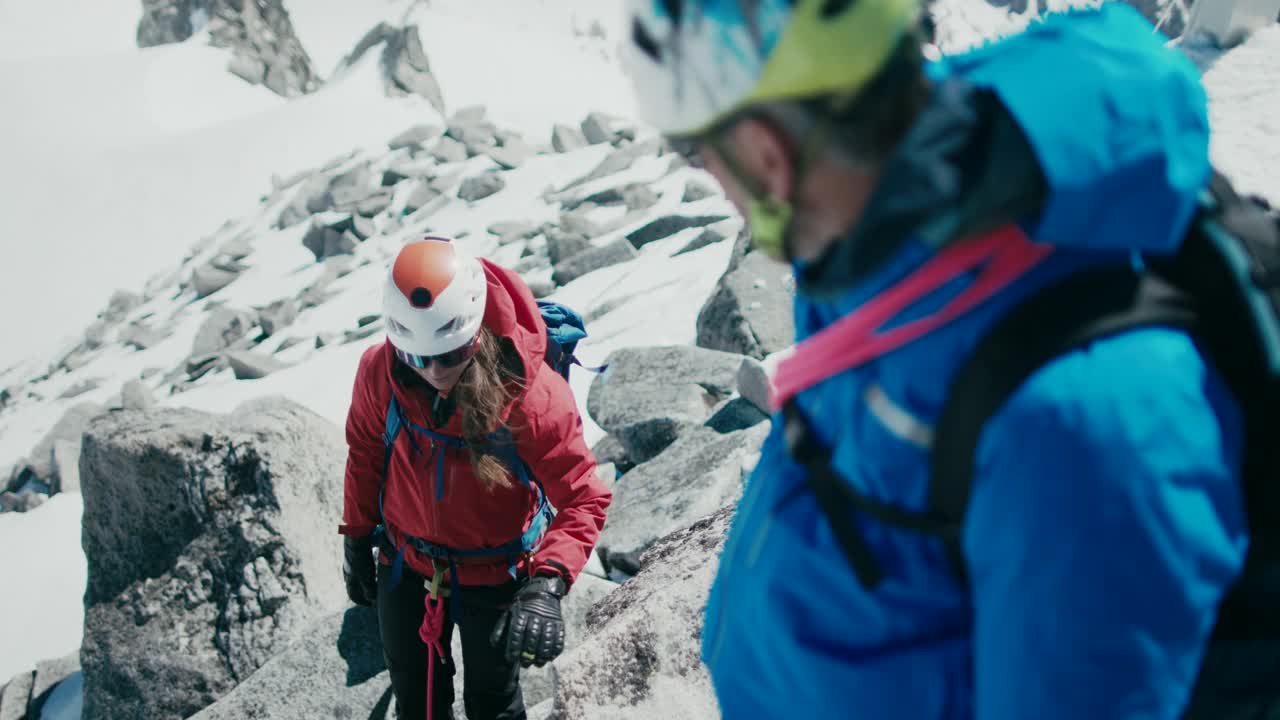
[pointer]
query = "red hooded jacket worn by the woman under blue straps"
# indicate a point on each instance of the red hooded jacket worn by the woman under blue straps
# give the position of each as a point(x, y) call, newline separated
point(548, 434)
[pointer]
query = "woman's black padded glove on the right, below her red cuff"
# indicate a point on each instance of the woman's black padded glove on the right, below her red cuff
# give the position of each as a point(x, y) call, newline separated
point(533, 626)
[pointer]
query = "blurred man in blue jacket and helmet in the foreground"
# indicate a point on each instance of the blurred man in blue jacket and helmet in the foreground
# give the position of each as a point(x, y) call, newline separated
point(1107, 522)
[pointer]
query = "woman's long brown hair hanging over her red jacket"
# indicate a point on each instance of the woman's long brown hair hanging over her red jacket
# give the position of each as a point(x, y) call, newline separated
point(495, 376)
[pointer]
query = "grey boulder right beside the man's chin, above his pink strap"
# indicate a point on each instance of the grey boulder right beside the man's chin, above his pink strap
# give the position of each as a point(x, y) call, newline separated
point(751, 311)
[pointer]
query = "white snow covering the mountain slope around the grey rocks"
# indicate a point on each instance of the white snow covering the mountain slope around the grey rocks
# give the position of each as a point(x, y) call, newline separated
point(121, 163)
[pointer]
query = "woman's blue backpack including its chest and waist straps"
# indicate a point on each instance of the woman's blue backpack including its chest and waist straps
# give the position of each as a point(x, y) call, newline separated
point(565, 329)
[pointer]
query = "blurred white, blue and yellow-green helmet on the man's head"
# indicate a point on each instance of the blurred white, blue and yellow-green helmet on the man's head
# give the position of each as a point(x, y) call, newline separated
point(698, 62)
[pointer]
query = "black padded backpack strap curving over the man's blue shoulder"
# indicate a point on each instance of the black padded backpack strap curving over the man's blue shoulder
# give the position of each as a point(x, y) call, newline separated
point(1067, 316)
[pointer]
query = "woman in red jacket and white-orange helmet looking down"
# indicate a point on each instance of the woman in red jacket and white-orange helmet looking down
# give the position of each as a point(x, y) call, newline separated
point(488, 431)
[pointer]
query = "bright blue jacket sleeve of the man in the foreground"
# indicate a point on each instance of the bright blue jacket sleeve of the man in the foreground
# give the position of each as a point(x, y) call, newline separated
point(1105, 526)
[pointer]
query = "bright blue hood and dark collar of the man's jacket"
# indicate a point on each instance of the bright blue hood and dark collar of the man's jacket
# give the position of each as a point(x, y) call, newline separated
point(1085, 127)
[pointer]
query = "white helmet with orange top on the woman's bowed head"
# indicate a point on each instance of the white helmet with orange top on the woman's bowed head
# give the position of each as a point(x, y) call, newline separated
point(435, 300)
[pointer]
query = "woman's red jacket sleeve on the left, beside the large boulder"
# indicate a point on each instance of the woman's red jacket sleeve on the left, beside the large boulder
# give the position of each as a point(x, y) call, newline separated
point(365, 450)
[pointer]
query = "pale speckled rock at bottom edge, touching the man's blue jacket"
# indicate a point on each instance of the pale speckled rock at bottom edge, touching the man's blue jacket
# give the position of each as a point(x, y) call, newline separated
point(643, 641)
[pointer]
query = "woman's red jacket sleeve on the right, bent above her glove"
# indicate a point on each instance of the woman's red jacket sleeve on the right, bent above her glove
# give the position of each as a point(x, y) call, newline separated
point(551, 441)
